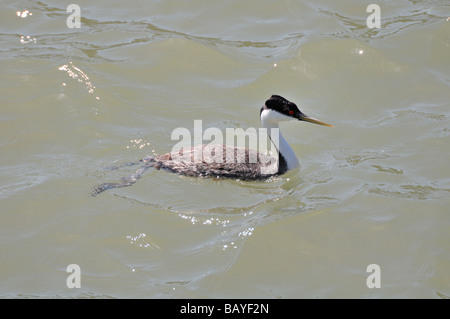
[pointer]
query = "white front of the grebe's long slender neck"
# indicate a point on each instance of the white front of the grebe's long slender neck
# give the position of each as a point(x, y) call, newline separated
point(283, 147)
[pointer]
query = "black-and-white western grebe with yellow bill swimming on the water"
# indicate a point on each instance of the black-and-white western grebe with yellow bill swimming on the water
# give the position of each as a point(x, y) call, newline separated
point(229, 161)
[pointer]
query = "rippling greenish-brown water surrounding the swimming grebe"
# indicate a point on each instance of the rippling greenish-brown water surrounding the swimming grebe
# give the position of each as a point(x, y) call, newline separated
point(373, 189)
